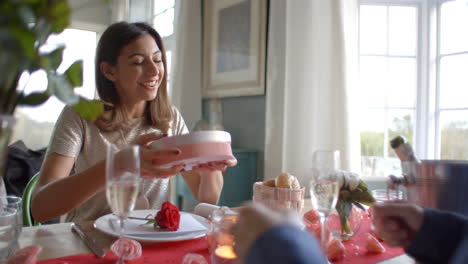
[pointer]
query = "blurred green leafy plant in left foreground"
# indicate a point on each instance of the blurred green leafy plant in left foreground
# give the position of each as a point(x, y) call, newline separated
point(25, 25)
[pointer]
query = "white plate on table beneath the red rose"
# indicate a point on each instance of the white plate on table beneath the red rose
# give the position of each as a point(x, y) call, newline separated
point(191, 226)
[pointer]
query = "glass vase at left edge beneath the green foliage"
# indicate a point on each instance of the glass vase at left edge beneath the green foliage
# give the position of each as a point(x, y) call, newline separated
point(7, 123)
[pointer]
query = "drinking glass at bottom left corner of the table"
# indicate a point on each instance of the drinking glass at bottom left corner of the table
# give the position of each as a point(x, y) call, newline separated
point(11, 223)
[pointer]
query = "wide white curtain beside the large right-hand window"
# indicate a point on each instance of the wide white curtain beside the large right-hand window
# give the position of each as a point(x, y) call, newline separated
point(310, 80)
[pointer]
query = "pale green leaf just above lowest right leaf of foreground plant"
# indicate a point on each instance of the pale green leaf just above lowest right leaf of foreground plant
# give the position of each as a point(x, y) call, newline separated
point(60, 86)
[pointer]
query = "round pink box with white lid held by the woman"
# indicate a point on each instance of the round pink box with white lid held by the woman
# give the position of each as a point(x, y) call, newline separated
point(197, 148)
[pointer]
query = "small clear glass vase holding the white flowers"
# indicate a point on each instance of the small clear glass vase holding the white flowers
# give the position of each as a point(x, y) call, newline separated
point(344, 231)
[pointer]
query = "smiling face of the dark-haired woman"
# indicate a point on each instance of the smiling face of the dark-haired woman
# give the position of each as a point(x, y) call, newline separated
point(139, 71)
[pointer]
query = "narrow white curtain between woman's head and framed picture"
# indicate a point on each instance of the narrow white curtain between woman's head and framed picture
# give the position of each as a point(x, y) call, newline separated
point(187, 61)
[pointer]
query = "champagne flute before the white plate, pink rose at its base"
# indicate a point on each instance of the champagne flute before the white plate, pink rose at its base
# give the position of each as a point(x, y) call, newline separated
point(122, 184)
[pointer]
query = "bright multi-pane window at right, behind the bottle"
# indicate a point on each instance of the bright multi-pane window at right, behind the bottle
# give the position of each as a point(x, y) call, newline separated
point(413, 60)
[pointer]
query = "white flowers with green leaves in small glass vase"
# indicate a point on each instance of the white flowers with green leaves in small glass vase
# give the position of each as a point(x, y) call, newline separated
point(353, 191)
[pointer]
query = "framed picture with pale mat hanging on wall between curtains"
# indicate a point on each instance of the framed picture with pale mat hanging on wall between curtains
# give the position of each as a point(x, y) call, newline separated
point(234, 47)
